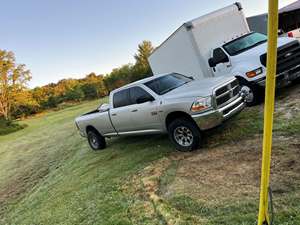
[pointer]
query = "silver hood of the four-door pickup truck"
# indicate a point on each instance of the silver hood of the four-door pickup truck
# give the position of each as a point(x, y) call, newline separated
point(197, 88)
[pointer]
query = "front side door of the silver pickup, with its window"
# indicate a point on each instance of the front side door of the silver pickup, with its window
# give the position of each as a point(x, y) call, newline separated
point(144, 115)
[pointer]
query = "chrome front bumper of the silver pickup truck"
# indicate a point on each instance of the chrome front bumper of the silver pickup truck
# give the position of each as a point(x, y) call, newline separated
point(213, 118)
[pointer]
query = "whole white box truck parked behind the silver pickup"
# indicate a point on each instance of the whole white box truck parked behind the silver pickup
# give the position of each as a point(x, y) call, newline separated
point(221, 44)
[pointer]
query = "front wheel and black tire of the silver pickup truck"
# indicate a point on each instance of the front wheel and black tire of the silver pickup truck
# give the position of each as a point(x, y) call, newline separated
point(184, 134)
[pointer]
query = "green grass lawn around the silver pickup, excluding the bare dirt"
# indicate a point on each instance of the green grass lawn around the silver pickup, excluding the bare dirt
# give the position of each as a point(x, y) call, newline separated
point(49, 175)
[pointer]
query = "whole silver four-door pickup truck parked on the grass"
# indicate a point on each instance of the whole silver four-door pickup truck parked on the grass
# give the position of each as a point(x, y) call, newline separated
point(169, 103)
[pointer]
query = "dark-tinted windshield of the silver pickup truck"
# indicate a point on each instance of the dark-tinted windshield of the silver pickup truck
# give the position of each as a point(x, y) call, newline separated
point(167, 83)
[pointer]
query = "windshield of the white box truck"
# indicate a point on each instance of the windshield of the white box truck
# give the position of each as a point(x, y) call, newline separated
point(244, 43)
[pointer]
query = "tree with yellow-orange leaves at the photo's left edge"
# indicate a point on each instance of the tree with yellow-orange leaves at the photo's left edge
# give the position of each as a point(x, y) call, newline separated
point(13, 80)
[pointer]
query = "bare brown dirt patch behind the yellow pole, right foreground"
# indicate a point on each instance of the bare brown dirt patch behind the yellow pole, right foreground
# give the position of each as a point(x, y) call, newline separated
point(233, 171)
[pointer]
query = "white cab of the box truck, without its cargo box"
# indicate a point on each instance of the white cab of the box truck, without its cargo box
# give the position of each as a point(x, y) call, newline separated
point(245, 58)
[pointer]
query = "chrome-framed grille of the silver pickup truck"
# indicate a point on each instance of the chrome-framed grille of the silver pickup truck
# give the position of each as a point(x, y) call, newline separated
point(227, 93)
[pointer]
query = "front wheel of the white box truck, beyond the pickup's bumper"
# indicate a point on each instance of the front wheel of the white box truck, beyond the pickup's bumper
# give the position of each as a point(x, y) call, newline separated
point(254, 94)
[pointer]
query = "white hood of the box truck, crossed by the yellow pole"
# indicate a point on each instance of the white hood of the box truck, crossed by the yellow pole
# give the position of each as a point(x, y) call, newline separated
point(260, 49)
